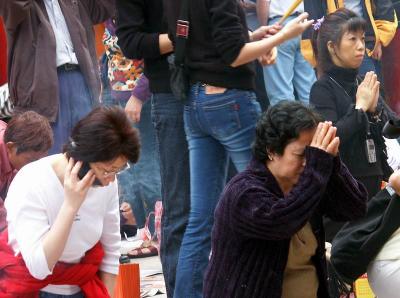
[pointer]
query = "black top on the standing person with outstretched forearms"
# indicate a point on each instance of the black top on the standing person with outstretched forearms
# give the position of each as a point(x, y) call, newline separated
point(218, 31)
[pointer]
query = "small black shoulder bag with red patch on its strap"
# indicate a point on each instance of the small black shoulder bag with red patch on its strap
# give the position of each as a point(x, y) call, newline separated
point(179, 77)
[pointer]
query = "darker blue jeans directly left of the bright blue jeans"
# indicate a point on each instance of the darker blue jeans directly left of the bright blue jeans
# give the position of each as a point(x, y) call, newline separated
point(167, 114)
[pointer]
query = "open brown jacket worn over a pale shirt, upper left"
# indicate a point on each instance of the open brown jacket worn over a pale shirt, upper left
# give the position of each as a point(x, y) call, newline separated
point(32, 71)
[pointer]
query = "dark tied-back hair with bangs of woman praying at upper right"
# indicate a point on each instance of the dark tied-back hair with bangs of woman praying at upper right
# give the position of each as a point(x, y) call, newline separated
point(334, 26)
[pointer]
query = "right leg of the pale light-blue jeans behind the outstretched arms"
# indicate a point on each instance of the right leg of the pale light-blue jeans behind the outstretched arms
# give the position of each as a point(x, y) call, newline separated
point(304, 76)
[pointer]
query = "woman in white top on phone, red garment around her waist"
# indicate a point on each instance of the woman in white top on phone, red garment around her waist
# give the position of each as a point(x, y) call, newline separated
point(60, 225)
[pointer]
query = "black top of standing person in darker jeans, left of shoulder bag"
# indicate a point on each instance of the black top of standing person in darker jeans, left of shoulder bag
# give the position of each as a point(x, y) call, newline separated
point(139, 24)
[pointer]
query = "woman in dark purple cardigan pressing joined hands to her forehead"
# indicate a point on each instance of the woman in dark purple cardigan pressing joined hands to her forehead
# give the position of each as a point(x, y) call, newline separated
point(268, 236)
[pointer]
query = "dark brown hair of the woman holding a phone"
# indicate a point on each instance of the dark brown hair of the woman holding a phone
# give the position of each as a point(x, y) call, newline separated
point(103, 135)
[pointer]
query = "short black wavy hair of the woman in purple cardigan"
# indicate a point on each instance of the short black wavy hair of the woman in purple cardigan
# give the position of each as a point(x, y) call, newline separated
point(281, 124)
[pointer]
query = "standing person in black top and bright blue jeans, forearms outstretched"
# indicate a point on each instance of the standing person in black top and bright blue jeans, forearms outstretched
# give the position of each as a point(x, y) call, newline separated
point(219, 115)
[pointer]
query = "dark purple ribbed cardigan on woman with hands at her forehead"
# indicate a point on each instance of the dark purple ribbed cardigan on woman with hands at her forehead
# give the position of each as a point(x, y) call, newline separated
point(254, 223)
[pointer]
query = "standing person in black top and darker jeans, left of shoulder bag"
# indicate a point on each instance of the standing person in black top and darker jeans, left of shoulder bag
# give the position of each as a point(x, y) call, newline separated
point(142, 34)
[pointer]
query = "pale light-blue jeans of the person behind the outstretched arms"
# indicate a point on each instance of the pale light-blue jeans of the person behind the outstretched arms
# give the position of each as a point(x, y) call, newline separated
point(290, 73)
